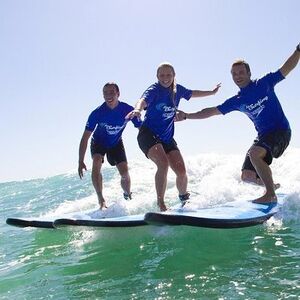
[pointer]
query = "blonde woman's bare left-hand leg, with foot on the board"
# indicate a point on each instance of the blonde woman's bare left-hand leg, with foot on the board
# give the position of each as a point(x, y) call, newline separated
point(157, 154)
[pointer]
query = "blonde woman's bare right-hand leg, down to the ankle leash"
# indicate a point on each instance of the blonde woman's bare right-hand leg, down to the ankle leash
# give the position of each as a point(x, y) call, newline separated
point(177, 164)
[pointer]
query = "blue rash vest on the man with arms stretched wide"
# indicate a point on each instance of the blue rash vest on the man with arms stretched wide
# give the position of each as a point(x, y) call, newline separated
point(260, 103)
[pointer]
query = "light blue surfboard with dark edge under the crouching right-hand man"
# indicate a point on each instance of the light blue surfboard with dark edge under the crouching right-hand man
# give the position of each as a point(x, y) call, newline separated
point(234, 214)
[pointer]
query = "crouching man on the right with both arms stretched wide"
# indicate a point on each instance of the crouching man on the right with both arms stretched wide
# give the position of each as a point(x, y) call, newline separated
point(259, 102)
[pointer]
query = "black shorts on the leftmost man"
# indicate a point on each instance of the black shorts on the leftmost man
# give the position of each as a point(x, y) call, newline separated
point(115, 155)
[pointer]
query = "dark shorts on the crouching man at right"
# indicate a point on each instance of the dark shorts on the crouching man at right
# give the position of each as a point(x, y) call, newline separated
point(274, 142)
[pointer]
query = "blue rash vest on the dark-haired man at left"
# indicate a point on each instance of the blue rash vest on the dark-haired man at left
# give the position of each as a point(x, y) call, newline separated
point(108, 124)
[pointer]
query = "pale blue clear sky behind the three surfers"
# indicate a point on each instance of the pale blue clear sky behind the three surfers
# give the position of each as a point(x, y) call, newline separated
point(56, 55)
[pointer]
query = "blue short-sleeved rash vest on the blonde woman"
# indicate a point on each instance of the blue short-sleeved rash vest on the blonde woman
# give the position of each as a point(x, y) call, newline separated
point(161, 109)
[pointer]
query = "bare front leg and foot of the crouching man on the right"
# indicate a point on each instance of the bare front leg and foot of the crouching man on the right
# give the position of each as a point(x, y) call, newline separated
point(257, 155)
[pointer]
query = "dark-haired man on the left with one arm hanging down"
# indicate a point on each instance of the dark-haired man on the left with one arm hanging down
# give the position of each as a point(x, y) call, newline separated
point(107, 123)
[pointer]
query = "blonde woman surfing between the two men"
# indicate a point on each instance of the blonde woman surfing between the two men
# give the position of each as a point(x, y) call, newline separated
point(155, 137)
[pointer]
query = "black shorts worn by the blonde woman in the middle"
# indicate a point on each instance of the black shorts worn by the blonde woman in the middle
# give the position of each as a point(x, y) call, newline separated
point(147, 139)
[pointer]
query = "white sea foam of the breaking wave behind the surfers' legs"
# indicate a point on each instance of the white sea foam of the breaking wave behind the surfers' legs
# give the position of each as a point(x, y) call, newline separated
point(213, 179)
